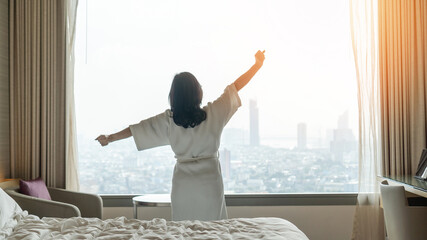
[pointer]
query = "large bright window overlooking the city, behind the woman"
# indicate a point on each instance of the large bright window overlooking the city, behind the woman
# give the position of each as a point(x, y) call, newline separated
point(297, 128)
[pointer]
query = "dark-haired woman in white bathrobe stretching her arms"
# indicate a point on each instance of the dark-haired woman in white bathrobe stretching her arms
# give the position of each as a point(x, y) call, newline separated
point(194, 135)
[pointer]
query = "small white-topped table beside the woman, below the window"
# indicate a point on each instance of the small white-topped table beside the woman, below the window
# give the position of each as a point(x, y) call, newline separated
point(150, 200)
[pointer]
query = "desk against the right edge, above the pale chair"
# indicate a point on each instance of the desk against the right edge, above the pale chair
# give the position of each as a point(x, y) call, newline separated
point(411, 184)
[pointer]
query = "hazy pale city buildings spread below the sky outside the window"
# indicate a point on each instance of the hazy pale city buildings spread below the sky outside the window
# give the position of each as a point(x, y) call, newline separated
point(245, 168)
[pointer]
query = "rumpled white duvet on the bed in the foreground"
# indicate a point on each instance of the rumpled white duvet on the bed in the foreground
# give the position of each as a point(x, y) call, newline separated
point(28, 227)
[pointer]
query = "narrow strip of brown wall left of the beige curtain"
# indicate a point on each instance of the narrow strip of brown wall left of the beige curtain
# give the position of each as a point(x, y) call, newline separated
point(4, 90)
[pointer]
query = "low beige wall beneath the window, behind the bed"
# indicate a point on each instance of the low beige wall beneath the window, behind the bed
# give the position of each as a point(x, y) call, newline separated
point(317, 222)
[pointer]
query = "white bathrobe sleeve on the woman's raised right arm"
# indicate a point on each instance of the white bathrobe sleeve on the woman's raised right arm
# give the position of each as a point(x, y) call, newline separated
point(226, 105)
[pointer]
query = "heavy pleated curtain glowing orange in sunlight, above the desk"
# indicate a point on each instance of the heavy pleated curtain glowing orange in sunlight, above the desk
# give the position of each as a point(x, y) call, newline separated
point(403, 78)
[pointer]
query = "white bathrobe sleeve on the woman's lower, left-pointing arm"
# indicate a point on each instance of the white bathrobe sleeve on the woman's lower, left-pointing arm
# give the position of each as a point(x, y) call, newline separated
point(152, 132)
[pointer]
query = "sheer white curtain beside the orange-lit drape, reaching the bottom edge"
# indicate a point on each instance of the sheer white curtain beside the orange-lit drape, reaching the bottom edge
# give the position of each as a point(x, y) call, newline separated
point(368, 219)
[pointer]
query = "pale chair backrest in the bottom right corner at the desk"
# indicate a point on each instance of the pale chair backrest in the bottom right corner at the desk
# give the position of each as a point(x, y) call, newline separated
point(402, 222)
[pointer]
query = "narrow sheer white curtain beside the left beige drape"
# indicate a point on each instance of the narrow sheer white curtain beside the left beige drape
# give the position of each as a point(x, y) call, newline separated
point(72, 182)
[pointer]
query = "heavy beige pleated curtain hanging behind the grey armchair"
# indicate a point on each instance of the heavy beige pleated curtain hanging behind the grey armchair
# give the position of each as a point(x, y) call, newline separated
point(37, 90)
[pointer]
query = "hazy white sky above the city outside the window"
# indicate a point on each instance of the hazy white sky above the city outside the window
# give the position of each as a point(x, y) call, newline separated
point(128, 52)
